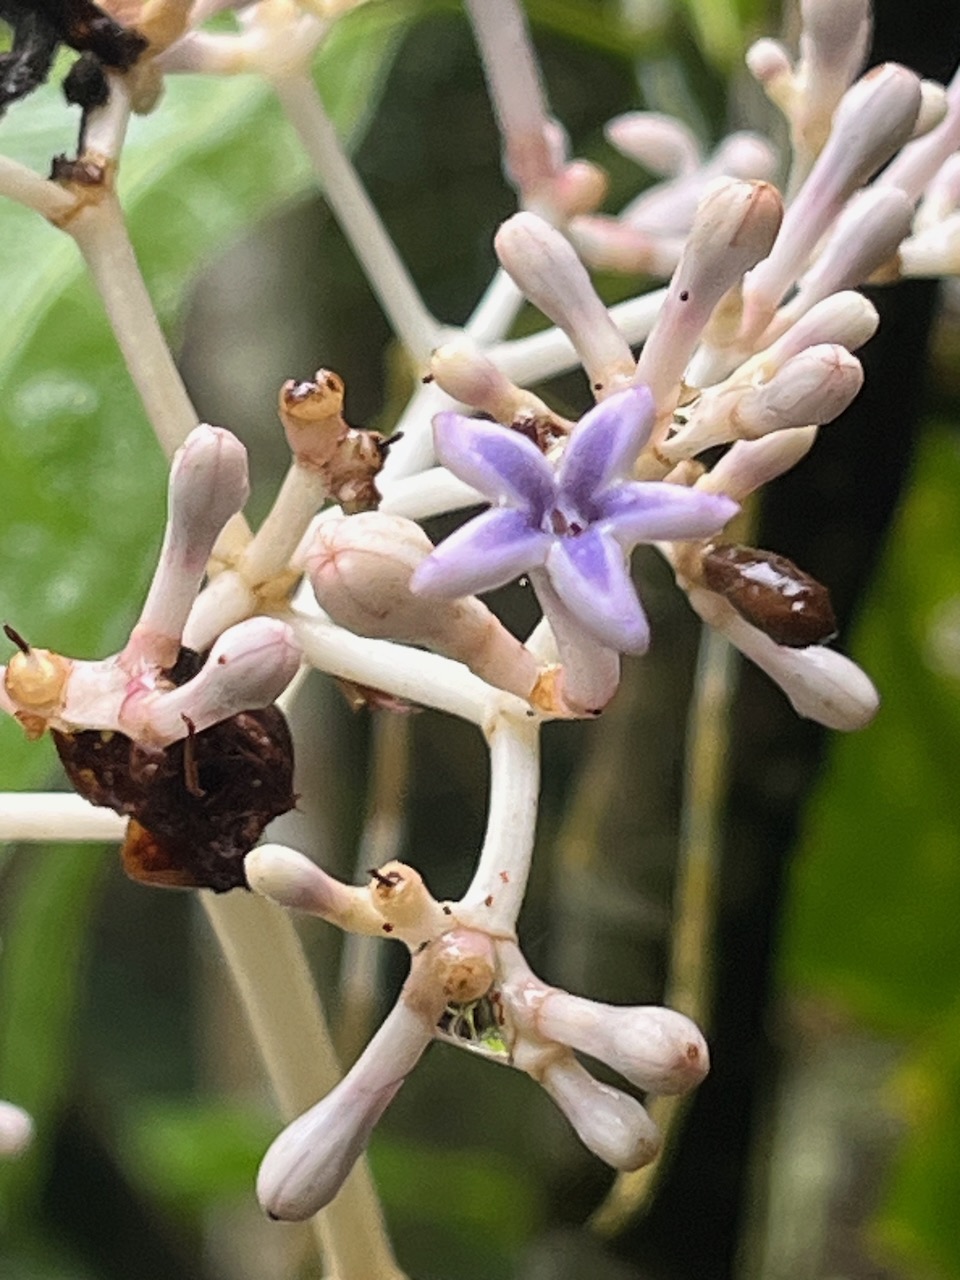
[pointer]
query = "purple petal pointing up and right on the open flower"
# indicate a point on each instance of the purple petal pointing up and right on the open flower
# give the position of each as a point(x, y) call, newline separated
point(605, 444)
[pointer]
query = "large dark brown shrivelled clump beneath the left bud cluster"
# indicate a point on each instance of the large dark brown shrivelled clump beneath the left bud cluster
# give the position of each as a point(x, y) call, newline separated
point(196, 807)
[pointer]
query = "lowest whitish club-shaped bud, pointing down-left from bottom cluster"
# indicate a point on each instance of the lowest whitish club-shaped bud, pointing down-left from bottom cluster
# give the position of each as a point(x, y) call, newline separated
point(309, 1163)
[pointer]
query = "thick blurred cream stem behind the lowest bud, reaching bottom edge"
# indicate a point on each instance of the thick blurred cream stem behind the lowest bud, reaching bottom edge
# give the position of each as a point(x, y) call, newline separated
point(275, 984)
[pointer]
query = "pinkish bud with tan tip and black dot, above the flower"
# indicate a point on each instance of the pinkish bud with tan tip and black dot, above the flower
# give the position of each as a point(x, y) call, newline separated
point(734, 228)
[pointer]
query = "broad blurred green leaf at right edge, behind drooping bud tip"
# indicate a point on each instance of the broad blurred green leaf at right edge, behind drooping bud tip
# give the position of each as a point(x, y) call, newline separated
point(877, 881)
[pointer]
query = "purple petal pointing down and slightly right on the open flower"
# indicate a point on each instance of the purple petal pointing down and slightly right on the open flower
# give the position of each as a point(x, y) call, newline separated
point(591, 577)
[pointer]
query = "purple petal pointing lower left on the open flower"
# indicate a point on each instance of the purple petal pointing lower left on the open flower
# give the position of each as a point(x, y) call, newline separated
point(487, 552)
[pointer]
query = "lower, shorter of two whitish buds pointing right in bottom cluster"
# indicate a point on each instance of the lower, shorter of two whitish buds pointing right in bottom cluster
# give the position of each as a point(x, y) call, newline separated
point(611, 1124)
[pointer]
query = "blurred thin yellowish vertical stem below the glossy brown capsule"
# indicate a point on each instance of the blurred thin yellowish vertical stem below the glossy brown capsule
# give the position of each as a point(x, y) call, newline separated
point(694, 900)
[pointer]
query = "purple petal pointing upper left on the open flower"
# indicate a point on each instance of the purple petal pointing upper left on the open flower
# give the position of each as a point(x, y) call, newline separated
point(504, 465)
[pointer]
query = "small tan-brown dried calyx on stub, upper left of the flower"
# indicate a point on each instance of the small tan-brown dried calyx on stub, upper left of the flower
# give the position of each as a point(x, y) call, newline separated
point(348, 459)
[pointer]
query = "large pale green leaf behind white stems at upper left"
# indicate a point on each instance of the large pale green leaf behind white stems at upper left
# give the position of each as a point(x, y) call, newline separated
point(83, 487)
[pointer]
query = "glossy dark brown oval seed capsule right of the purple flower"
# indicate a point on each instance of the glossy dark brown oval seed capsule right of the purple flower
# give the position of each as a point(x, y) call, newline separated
point(771, 593)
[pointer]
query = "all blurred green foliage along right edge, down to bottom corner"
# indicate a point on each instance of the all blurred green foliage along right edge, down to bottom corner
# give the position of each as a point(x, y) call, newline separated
point(876, 898)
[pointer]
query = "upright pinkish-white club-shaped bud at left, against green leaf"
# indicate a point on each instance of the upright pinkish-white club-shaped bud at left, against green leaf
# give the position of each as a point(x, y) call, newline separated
point(209, 483)
